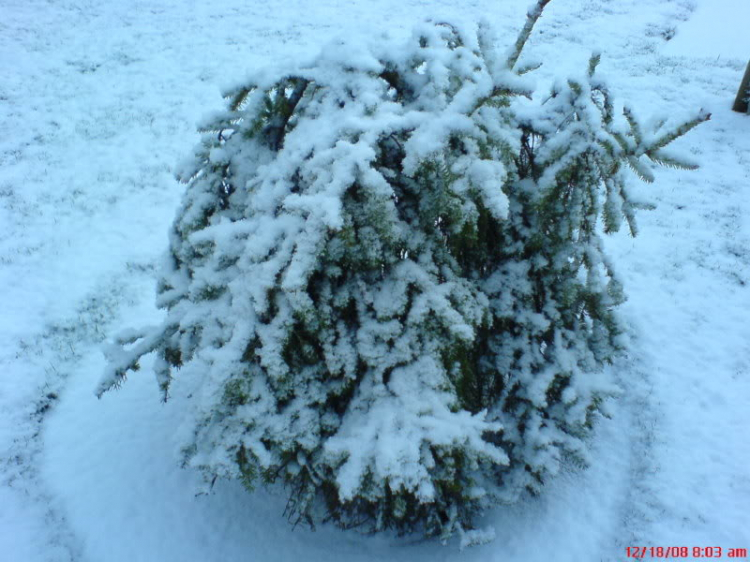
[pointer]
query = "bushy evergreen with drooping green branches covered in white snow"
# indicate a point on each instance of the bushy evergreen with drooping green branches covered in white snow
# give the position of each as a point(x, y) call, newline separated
point(386, 282)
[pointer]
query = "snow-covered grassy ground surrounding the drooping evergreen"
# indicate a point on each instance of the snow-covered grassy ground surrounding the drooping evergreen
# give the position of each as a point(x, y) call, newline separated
point(98, 102)
